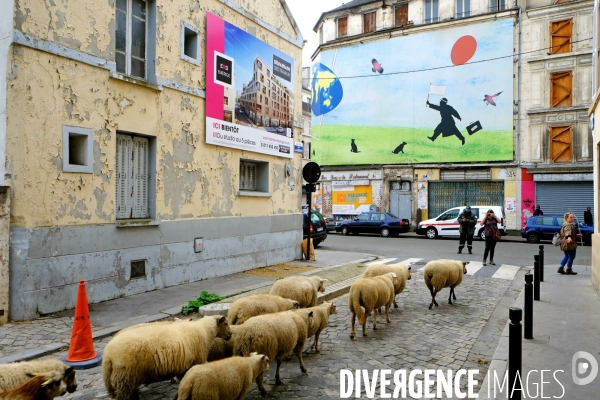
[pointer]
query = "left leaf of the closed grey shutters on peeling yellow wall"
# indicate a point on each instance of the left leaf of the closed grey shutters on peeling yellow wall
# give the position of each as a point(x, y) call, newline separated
point(124, 164)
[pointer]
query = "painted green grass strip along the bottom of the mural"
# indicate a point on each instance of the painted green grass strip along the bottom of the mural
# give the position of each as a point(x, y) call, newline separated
point(376, 145)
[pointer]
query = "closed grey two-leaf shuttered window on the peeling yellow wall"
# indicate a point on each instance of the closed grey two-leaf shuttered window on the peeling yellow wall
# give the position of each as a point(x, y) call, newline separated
point(133, 177)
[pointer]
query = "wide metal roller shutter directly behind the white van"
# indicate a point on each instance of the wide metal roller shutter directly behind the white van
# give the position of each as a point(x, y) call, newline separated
point(445, 195)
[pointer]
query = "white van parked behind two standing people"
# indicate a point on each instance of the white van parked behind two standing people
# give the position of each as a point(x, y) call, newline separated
point(446, 224)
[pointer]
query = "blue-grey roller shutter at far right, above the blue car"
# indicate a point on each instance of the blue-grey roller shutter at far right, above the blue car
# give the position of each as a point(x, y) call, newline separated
point(561, 197)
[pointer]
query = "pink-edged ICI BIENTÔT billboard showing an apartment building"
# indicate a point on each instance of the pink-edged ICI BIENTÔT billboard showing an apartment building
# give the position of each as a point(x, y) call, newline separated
point(249, 92)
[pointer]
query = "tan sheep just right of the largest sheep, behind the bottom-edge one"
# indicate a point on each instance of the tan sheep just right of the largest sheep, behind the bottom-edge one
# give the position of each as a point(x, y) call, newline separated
point(274, 335)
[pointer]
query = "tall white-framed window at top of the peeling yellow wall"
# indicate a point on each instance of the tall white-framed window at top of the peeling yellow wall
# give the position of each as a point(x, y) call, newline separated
point(131, 37)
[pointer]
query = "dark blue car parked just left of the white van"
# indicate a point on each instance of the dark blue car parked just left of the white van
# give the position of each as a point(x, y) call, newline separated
point(385, 224)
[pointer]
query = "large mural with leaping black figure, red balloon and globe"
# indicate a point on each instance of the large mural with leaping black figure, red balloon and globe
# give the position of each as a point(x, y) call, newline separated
point(431, 97)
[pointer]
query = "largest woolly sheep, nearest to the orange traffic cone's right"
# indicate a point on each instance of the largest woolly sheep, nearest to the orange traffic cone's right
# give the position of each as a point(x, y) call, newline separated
point(155, 352)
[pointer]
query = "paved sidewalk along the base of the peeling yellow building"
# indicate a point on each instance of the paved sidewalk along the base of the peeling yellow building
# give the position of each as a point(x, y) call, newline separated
point(31, 339)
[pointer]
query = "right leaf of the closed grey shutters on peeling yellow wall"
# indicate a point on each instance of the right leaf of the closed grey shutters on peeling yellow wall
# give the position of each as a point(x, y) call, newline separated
point(140, 178)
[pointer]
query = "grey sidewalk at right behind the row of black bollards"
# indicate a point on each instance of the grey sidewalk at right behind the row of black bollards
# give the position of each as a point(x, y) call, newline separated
point(566, 320)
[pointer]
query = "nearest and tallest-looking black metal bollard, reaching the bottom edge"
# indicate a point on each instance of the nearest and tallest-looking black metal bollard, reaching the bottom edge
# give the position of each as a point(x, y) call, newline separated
point(515, 354)
